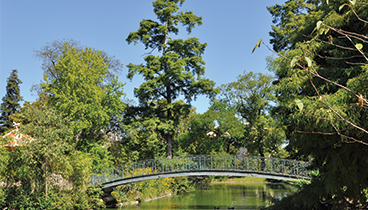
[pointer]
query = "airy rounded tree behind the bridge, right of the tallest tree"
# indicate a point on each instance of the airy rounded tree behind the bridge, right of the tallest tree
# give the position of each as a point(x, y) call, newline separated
point(251, 96)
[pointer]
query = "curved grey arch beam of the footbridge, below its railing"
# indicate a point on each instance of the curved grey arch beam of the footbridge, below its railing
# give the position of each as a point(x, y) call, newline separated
point(283, 177)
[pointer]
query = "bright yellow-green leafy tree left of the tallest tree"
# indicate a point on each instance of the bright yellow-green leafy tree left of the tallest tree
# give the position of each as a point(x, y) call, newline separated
point(82, 93)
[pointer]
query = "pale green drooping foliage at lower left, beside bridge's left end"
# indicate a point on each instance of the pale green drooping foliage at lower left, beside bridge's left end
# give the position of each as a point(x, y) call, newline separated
point(30, 169)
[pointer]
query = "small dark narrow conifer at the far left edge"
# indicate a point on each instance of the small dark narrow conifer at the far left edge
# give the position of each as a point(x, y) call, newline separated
point(10, 101)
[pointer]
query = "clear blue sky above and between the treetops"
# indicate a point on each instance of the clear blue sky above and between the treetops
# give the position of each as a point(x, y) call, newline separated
point(231, 29)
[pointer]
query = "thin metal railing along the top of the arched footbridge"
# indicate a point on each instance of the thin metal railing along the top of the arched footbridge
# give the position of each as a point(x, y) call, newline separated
point(275, 166)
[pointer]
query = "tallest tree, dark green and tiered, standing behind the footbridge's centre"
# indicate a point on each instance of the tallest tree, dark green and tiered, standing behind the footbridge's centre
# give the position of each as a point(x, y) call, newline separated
point(177, 71)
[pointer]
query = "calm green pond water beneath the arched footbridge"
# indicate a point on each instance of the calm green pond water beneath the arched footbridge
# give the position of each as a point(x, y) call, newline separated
point(228, 195)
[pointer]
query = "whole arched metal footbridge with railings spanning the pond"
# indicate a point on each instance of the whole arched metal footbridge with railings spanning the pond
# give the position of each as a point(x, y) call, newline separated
point(271, 168)
